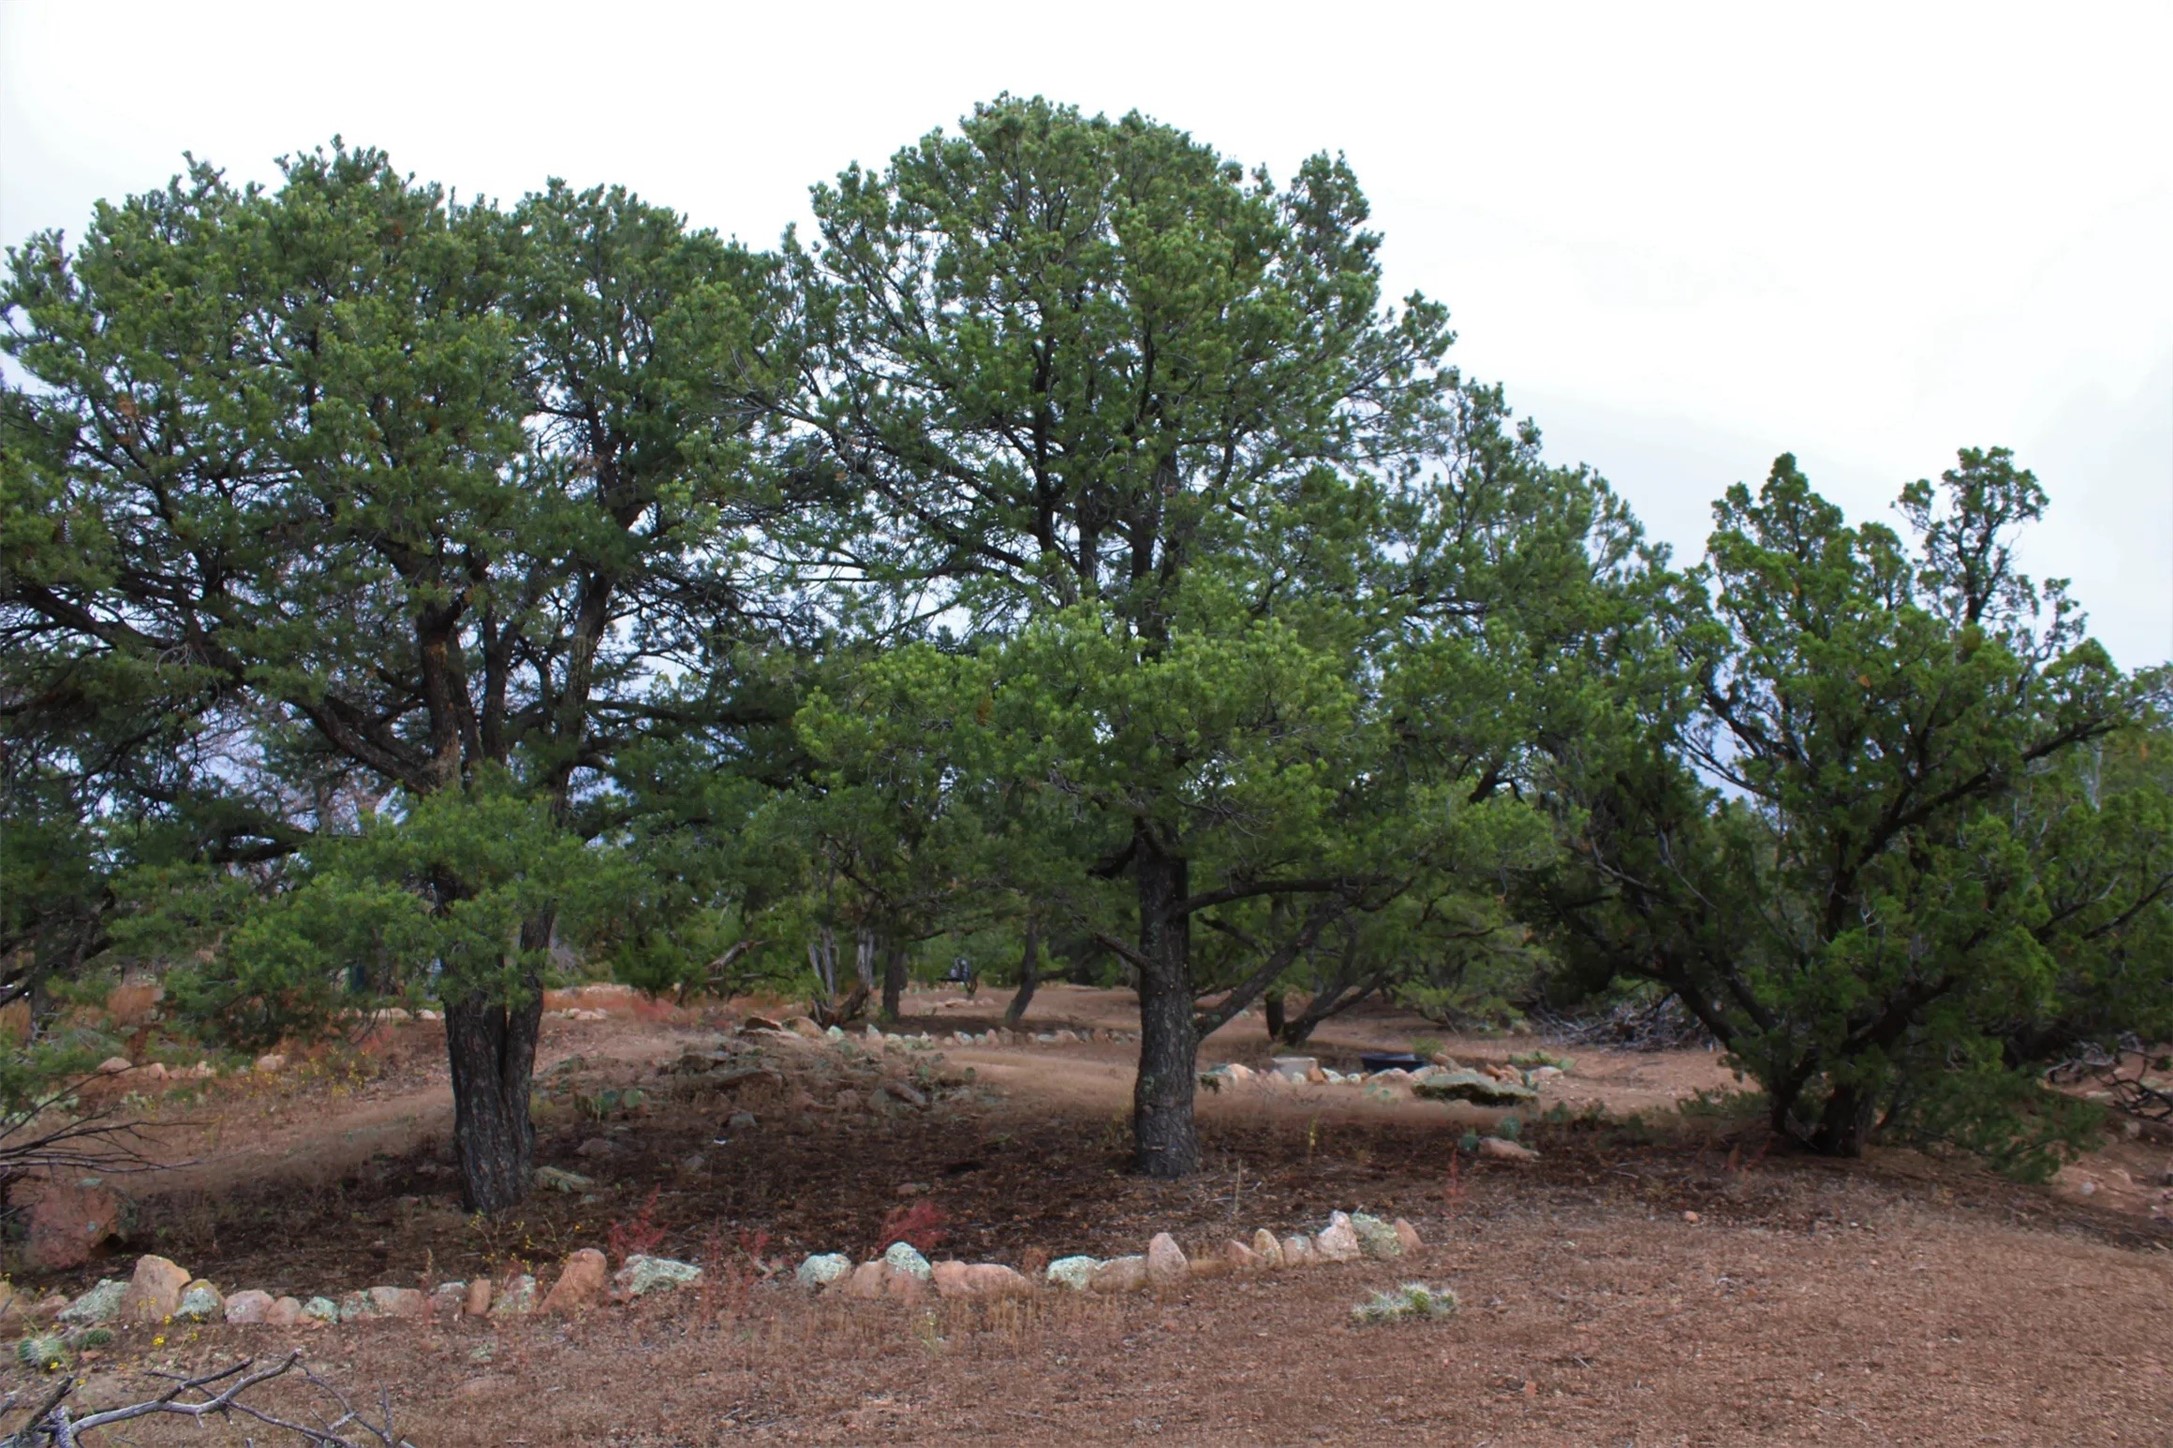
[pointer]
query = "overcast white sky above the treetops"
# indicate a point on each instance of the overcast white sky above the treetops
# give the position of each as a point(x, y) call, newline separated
point(1685, 238)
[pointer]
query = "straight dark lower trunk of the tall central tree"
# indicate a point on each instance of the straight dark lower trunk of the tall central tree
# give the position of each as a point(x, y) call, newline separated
point(1164, 1134)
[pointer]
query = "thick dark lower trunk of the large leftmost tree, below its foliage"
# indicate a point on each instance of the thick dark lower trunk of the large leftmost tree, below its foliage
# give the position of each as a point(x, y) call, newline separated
point(492, 1053)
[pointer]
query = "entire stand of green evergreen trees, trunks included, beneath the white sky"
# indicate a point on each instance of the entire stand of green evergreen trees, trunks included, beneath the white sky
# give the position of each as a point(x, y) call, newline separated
point(1064, 558)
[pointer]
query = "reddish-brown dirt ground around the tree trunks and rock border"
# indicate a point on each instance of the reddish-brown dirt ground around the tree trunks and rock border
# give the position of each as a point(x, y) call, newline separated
point(1657, 1277)
